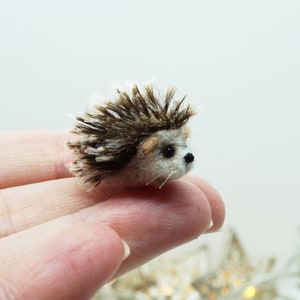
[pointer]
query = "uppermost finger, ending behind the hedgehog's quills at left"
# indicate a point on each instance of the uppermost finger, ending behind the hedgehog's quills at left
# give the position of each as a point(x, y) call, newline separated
point(33, 156)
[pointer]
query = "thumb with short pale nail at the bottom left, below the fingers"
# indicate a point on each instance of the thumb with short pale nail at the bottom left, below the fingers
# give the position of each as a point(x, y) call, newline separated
point(70, 265)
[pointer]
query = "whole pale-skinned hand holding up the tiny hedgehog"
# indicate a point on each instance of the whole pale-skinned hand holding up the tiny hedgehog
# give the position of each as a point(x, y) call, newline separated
point(58, 241)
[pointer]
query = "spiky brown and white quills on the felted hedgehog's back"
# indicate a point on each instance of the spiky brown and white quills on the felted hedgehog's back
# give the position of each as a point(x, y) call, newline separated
point(109, 135)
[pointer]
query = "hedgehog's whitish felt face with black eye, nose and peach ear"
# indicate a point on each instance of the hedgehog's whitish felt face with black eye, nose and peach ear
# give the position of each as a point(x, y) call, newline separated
point(164, 156)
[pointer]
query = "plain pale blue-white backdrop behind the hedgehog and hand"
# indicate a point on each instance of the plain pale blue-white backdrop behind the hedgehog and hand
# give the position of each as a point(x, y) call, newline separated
point(240, 60)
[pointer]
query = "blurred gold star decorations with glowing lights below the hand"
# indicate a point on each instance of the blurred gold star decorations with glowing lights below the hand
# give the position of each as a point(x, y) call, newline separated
point(186, 277)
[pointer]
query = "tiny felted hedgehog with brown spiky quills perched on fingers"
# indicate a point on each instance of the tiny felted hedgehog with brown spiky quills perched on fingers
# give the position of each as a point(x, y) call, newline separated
point(138, 139)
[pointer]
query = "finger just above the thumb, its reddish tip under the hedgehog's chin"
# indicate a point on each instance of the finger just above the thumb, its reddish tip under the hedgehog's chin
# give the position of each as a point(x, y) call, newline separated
point(150, 220)
